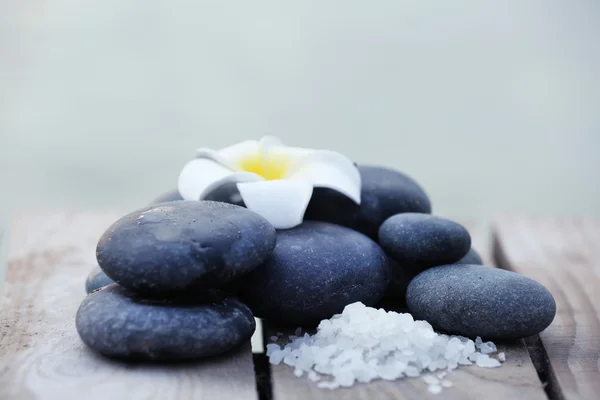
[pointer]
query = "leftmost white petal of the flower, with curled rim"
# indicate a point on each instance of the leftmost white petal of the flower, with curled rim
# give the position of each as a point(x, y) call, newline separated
point(201, 176)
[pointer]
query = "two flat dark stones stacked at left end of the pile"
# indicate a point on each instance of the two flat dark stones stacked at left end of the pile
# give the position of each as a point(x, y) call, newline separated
point(171, 262)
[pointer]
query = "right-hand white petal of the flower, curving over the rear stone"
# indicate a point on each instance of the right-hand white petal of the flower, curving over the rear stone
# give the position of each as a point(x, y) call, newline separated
point(328, 169)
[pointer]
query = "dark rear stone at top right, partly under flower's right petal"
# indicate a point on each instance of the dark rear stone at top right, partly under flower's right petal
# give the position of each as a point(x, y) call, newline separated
point(384, 192)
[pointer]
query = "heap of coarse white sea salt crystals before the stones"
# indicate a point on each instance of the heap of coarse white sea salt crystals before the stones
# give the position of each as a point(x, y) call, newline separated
point(363, 344)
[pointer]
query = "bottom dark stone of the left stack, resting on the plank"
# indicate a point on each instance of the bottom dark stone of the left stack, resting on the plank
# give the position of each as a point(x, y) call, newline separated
point(119, 324)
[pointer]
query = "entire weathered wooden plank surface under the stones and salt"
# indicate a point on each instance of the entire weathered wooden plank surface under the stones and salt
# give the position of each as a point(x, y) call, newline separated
point(42, 357)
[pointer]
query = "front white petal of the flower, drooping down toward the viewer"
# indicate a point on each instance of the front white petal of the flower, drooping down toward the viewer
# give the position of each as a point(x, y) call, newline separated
point(281, 202)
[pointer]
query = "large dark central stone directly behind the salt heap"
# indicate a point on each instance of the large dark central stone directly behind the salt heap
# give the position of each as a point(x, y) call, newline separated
point(316, 270)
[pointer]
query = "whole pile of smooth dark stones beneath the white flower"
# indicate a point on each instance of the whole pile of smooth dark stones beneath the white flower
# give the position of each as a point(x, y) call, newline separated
point(167, 256)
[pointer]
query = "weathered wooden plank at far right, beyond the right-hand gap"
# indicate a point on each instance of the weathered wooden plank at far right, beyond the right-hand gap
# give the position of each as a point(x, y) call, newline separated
point(563, 255)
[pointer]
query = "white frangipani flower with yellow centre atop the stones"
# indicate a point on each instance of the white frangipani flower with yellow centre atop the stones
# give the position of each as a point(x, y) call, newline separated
point(275, 181)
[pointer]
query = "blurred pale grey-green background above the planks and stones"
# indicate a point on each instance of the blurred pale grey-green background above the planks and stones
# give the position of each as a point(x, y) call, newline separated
point(492, 106)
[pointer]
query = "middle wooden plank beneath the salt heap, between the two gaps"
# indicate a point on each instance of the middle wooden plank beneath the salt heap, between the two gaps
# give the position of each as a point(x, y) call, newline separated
point(516, 379)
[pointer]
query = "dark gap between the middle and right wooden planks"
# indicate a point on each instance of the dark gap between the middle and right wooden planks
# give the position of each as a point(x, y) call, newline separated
point(535, 346)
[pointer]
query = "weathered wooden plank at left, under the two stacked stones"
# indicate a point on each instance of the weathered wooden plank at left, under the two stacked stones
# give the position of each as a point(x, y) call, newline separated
point(41, 355)
